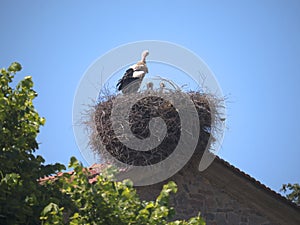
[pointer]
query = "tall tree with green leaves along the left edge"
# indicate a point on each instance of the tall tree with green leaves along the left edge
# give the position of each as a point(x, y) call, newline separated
point(21, 196)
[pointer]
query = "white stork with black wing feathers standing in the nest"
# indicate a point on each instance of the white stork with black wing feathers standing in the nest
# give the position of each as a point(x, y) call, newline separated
point(132, 79)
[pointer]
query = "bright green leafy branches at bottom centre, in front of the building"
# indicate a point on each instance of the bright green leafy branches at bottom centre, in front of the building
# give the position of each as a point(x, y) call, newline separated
point(106, 201)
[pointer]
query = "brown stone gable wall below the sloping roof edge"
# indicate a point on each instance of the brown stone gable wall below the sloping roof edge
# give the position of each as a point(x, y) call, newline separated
point(196, 192)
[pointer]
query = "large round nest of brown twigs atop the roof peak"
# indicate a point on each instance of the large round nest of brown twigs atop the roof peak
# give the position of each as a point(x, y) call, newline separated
point(105, 139)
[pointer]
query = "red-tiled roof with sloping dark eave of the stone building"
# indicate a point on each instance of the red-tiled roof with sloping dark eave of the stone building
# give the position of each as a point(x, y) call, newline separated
point(237, 183)
